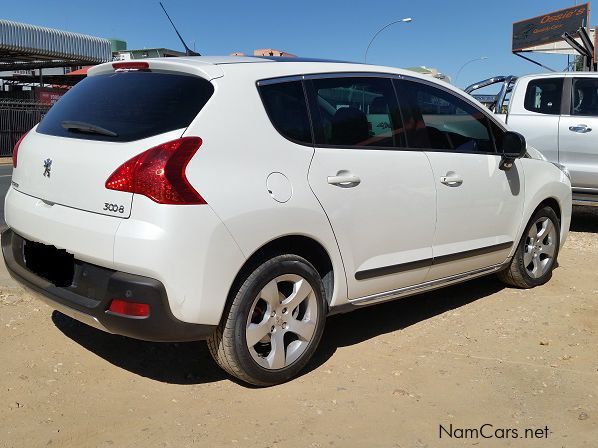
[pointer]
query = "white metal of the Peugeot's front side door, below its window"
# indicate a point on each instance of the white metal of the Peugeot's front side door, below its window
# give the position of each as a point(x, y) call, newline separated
point(496, 198)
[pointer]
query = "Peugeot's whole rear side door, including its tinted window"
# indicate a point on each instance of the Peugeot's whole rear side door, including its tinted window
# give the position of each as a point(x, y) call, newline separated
point(379, 196)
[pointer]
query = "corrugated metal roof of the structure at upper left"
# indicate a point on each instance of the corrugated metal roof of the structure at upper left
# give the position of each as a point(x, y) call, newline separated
point(24, 43)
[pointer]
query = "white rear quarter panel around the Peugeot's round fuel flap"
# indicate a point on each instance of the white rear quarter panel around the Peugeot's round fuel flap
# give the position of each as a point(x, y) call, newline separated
point(250, 213)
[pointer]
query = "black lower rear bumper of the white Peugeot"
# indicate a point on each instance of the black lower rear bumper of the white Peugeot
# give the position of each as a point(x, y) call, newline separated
point(88, 298)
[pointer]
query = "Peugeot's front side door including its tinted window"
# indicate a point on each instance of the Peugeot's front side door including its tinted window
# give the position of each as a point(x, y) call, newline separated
point(479, 206)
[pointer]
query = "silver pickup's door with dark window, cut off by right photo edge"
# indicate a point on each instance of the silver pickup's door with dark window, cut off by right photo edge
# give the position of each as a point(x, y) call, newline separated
point(578, 136)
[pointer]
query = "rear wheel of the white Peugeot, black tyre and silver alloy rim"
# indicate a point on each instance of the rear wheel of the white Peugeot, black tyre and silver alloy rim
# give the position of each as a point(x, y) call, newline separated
point(274, 323)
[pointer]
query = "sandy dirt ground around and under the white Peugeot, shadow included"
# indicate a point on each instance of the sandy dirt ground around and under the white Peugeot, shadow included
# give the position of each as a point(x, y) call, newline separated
point(443, 369)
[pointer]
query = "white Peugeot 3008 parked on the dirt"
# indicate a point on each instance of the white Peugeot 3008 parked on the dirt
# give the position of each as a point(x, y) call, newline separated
point(242, 200)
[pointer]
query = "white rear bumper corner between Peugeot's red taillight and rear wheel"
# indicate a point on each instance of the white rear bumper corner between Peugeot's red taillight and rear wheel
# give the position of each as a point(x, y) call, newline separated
point(193, 262)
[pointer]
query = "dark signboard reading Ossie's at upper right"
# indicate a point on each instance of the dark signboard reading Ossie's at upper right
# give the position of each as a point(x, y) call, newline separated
point(549, 27)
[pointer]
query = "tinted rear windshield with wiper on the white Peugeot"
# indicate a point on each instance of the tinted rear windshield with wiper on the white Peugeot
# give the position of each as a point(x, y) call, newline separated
point(127, 106)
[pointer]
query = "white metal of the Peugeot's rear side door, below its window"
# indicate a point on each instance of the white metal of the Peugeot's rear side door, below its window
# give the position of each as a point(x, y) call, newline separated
point(394, 185)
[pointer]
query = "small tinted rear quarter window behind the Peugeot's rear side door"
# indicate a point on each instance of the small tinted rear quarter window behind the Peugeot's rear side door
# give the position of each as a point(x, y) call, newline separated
point(287, 109)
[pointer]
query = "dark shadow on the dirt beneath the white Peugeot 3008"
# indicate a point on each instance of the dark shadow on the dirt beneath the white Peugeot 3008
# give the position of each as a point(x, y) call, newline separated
point(191, 363)
